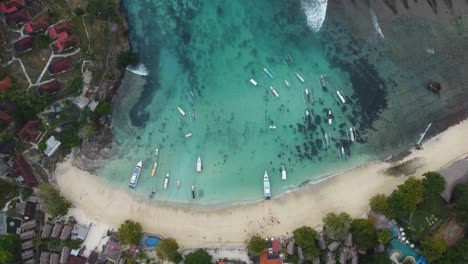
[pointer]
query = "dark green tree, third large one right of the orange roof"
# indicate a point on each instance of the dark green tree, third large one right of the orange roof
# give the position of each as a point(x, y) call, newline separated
point(363, 233)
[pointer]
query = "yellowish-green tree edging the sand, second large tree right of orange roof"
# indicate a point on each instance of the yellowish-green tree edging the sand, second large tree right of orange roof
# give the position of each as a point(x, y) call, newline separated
point(337, 225)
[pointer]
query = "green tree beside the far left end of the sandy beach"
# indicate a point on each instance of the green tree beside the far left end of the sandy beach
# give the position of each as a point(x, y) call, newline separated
point(53, 202)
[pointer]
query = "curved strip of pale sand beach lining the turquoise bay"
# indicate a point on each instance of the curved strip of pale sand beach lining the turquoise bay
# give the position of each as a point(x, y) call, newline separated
point(231, 227)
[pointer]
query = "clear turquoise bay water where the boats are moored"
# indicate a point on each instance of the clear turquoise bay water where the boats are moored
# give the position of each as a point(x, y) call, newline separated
point(200, 56)
